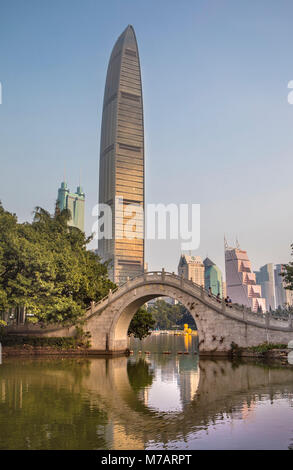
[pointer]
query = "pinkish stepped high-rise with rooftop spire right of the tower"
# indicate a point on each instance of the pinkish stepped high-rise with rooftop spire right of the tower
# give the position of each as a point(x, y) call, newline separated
point(241, 281)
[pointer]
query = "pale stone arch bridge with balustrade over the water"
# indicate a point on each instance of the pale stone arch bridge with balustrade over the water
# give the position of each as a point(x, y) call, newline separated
point(218, 324)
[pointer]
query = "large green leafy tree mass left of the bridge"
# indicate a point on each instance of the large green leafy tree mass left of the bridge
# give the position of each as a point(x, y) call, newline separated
point(46, 268)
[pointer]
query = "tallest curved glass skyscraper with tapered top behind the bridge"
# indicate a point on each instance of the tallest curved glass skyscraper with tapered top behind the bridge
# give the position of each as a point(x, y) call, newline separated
point(122, 159)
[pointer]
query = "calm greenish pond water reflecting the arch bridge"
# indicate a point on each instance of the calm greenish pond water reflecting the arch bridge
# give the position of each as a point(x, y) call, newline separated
point(146, 401)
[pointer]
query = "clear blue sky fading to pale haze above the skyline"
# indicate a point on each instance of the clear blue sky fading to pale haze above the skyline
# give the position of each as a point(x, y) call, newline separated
point(218, 126)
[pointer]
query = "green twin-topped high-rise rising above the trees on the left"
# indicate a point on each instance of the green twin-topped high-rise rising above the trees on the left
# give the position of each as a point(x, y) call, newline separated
point(74, 202)
